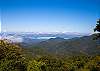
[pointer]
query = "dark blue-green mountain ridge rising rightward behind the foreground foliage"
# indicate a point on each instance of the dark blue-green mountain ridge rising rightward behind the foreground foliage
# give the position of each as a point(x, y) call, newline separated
point(75, 46)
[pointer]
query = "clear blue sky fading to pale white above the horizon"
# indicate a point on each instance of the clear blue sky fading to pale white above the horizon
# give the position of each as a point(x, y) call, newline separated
point(49, 15)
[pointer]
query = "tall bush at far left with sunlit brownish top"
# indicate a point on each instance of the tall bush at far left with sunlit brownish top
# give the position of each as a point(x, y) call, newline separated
point(10, 57)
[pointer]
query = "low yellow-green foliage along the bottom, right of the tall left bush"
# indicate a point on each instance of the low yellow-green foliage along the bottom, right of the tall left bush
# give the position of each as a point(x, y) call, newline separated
point(75, 63)
